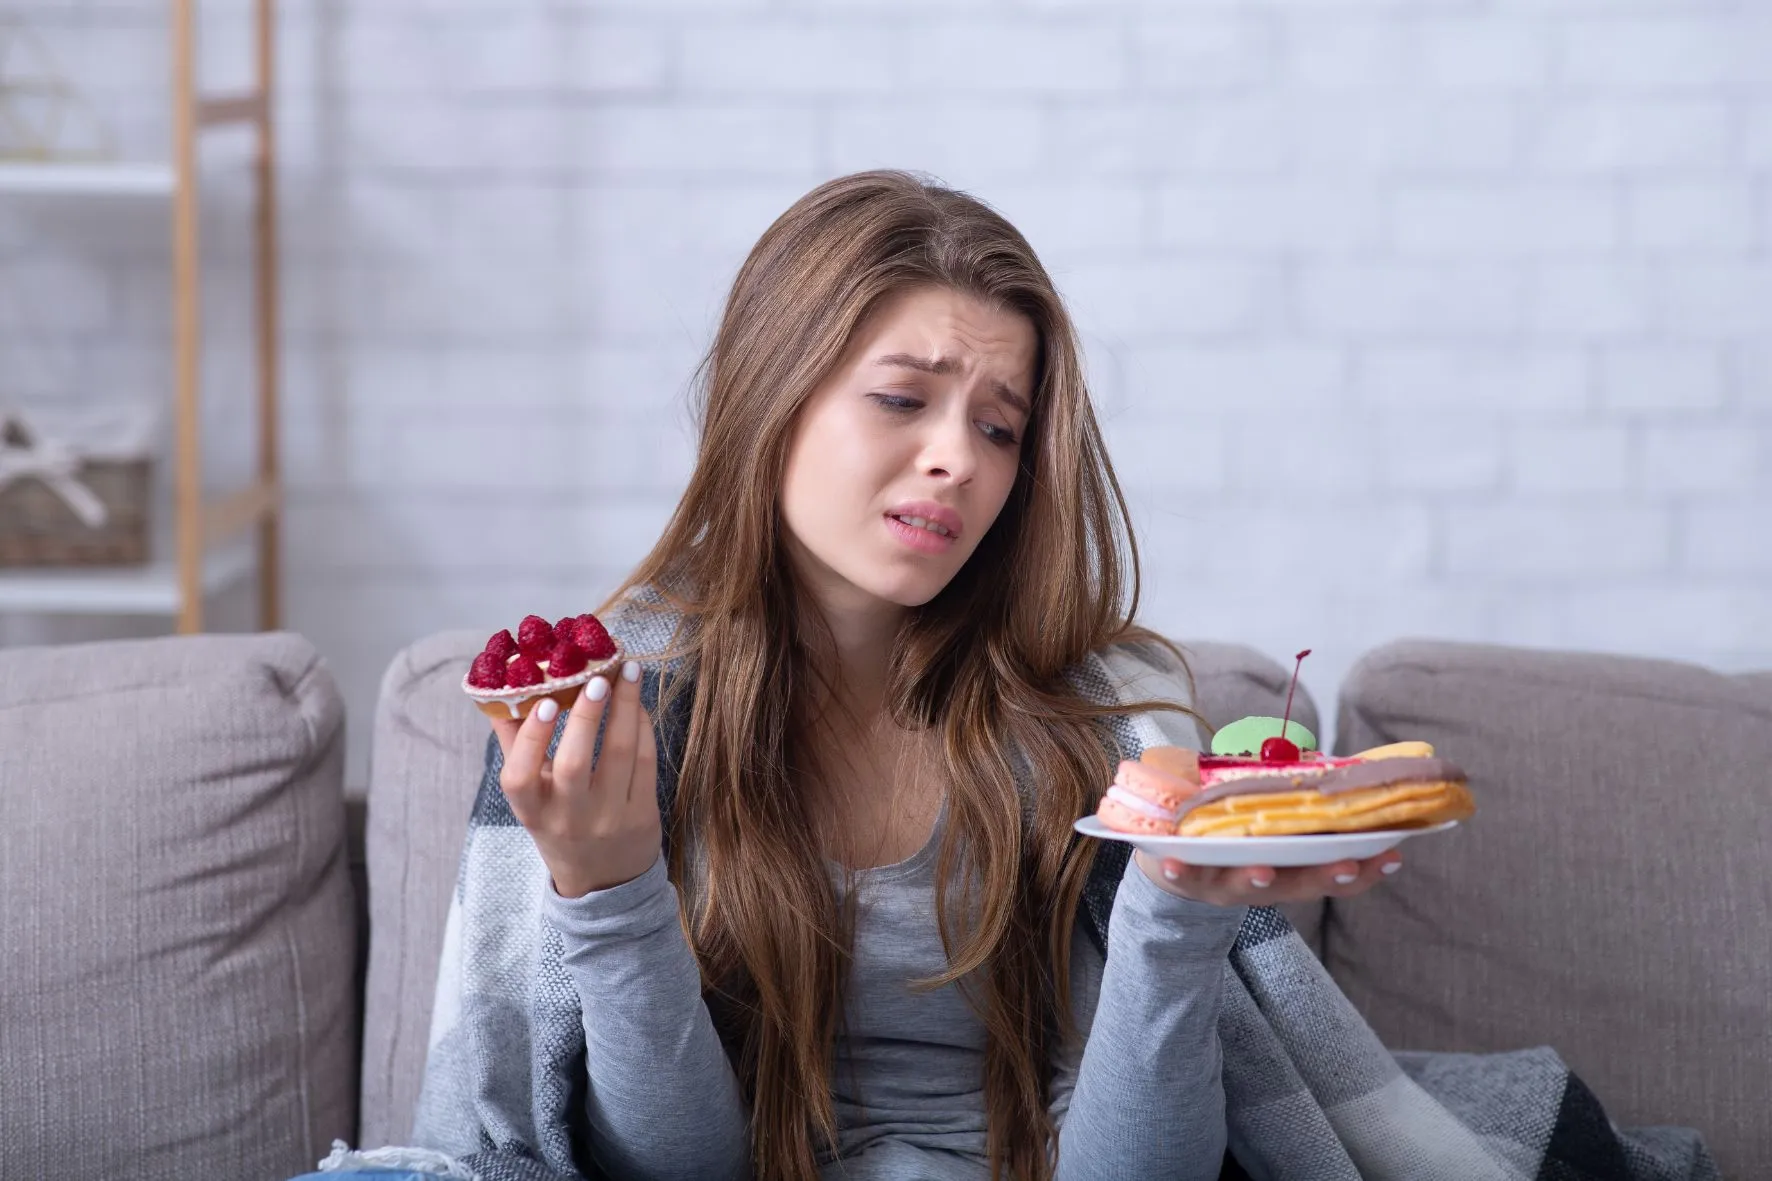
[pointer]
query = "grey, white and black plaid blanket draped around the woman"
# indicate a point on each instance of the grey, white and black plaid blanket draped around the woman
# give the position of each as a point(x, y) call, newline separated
point(1310, 1091)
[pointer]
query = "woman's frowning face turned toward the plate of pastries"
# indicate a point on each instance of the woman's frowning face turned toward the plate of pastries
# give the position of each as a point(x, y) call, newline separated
point(922, 418)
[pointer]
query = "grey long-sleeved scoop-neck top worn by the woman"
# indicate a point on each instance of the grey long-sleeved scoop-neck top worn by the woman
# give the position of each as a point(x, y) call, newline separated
point(1142, 1100)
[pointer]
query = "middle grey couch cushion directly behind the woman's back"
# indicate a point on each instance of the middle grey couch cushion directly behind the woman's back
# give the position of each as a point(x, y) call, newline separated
point(426, 767)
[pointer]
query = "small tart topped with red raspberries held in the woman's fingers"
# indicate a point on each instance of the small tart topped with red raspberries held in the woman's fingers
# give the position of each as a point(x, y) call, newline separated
point(513, 675)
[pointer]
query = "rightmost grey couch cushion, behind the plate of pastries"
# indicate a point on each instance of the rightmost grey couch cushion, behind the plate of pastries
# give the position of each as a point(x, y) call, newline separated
point(1612, 895)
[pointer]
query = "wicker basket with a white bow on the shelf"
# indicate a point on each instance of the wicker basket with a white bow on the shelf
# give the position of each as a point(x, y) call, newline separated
point(38, 528)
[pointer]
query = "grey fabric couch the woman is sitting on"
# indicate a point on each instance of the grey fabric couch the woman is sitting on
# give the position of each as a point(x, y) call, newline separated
point(214, 964)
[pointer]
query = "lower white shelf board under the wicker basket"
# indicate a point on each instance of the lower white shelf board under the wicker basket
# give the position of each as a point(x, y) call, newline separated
point(150, 590)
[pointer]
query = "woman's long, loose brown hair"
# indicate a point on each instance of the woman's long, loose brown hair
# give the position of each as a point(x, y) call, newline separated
point(983, 664)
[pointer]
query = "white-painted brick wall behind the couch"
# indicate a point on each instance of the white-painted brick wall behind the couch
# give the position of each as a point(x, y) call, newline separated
point(1463, 309)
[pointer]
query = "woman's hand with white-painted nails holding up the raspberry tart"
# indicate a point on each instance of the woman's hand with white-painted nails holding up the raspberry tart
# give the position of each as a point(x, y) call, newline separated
point(595, 827)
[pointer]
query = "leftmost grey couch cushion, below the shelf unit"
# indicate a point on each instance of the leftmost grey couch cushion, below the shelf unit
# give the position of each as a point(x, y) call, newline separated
point(178, 932)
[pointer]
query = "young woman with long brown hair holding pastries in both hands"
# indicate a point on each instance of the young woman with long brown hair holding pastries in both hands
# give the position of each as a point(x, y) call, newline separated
point(901, 536)
